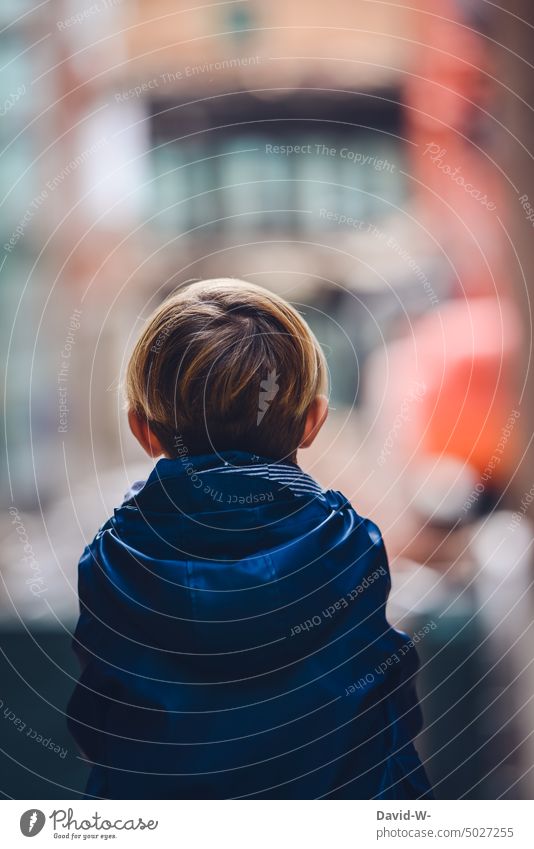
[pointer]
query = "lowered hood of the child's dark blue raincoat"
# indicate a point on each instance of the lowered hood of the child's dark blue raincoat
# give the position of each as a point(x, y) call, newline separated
point(222, 557)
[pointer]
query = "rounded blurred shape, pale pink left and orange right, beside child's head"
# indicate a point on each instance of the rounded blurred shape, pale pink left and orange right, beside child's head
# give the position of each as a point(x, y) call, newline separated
point(450, 387)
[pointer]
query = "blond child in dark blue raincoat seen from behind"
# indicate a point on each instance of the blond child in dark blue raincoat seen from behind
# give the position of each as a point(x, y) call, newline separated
point(232, 627)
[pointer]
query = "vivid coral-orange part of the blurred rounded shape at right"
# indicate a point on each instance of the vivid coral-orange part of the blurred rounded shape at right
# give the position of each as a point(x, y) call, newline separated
point(468, 353)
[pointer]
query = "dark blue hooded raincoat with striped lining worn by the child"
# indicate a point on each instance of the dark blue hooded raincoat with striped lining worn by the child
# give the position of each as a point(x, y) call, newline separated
point(234, 643)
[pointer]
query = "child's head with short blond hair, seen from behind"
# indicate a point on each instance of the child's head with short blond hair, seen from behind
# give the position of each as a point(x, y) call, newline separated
point(224, 364)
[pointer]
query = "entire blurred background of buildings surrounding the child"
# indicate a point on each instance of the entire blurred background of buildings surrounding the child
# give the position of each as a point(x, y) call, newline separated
point(361, 158)
